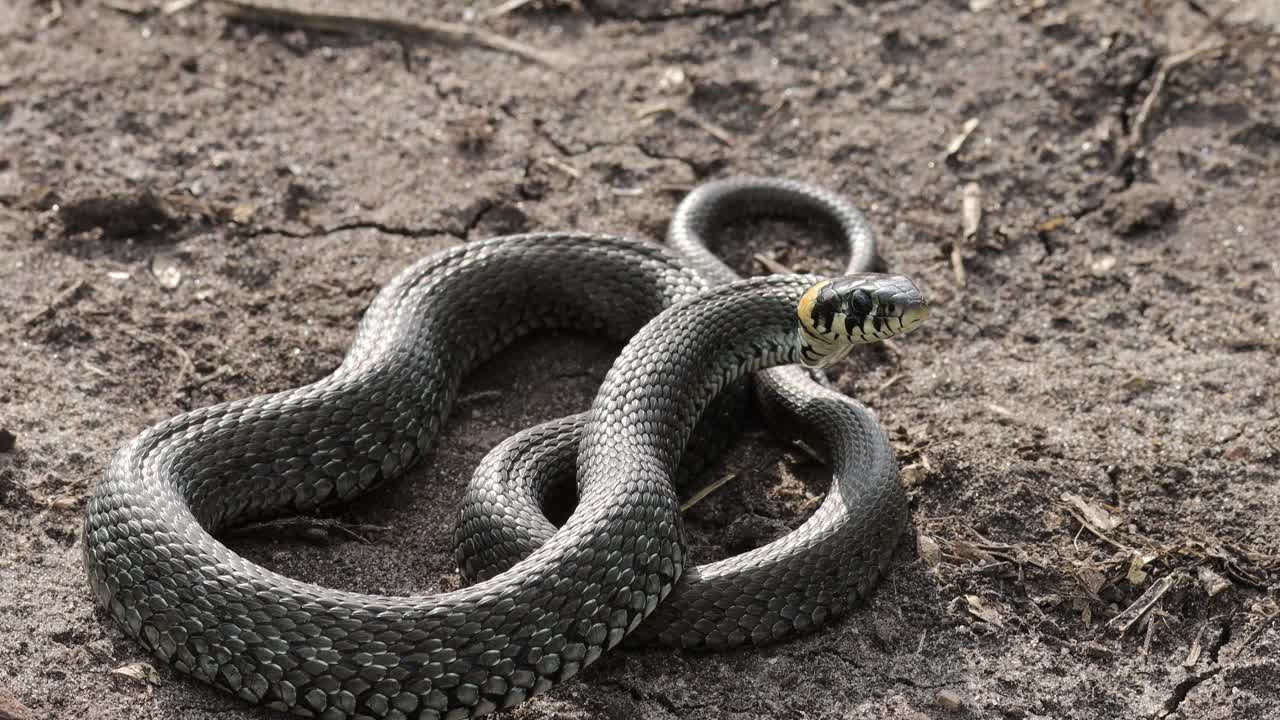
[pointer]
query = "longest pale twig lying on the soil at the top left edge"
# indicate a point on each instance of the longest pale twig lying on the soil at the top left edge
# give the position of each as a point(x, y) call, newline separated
point(344, 24)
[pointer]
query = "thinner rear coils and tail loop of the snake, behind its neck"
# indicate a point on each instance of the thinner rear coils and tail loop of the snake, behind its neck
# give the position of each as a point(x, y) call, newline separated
point(796, 585)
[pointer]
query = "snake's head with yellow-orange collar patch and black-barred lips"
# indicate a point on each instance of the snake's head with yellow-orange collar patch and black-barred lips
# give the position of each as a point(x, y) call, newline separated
point(840, 313)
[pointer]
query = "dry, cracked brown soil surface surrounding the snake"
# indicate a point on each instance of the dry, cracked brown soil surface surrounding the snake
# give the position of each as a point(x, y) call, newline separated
point(195, 209)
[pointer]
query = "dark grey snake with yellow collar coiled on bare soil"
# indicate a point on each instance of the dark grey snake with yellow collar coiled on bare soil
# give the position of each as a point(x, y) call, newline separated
point(152, 522)
